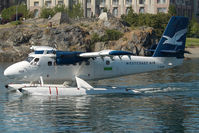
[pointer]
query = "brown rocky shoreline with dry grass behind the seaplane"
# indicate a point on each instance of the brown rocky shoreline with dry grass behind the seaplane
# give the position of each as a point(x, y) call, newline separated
point(81, 35)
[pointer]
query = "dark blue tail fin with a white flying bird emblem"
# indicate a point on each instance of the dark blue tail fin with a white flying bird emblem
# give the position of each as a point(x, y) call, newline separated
point(172, 43)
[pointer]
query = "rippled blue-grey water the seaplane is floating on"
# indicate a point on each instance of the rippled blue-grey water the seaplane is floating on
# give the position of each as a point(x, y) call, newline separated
point(169, 102)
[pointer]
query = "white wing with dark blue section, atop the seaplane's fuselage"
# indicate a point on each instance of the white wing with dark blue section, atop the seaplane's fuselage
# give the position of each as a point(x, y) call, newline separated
point(104, 53)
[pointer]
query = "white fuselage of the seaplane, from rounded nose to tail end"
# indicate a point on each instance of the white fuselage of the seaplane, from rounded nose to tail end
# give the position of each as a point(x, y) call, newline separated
point(93, 69)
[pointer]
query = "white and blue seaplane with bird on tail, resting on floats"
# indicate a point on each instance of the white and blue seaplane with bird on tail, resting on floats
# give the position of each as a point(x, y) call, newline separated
point(47, 64)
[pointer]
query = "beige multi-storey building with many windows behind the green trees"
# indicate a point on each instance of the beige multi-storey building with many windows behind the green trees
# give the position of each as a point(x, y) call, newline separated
point(117, 7)
